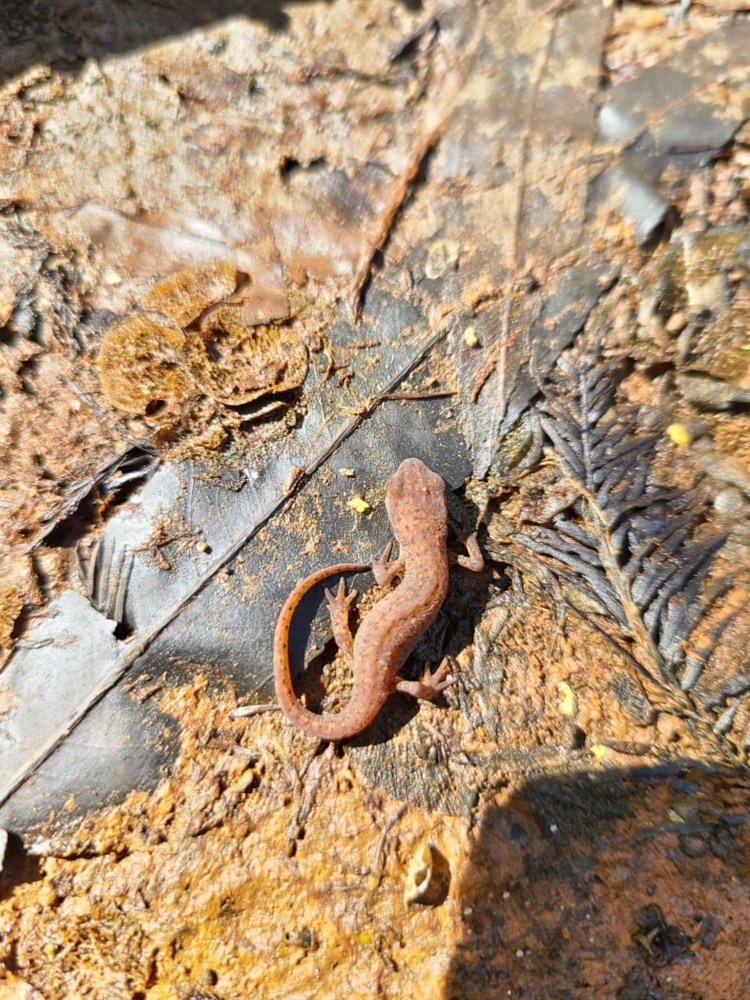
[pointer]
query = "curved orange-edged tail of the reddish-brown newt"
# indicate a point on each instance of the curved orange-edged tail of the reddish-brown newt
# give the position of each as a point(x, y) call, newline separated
point(349, 720)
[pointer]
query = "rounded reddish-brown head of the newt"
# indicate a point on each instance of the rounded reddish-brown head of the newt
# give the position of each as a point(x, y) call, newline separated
point(415, 501)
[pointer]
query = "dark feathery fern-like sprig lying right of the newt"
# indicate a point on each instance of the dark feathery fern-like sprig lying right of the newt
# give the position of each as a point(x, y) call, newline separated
point(628, 540)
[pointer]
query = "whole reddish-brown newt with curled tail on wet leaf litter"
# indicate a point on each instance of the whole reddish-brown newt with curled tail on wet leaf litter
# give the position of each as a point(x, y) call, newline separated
point(417, 509)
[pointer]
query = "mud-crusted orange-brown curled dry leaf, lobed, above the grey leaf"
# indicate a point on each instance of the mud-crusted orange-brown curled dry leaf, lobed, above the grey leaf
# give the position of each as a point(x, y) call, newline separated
point(195, 339)
